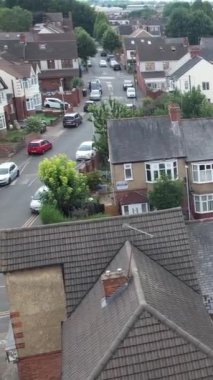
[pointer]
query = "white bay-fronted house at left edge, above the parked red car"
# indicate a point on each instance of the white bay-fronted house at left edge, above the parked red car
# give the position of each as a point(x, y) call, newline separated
point(23, 93)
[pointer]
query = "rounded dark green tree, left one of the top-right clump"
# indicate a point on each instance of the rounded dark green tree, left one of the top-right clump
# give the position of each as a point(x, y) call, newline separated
point(178, 23)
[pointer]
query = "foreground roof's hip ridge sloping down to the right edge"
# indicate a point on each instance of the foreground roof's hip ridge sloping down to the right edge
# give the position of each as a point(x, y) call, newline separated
point(190, 338)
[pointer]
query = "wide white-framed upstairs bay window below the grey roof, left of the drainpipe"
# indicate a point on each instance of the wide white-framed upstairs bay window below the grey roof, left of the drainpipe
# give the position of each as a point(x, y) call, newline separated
point(154, 167)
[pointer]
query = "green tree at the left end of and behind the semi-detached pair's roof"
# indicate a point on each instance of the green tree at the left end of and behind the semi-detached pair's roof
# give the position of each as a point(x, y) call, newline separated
point(111, 110)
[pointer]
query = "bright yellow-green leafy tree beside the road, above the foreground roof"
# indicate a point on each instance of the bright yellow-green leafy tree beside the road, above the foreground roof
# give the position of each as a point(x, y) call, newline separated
point(68, 188)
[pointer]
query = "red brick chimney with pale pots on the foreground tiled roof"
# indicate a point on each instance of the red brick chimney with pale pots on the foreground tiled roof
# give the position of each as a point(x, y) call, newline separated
point(113, 281)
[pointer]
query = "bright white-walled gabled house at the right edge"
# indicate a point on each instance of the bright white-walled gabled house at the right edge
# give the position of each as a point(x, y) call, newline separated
point(196, 72)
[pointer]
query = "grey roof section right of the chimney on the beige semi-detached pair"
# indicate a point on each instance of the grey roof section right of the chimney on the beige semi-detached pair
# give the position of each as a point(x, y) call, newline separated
point(198, 133)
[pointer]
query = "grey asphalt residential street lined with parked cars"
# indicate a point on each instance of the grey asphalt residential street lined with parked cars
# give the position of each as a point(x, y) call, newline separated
point(15, 199)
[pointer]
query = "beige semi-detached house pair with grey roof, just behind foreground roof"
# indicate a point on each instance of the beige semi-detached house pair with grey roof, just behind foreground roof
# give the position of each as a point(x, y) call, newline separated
point(141, 149)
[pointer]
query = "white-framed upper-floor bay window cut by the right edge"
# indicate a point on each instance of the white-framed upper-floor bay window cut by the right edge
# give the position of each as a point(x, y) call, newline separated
point(202, 176)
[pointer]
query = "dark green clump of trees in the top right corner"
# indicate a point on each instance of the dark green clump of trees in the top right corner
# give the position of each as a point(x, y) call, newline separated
point(189, 20)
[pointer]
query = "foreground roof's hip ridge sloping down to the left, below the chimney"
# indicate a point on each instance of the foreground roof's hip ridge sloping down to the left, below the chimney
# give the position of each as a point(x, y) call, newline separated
point(98, 369)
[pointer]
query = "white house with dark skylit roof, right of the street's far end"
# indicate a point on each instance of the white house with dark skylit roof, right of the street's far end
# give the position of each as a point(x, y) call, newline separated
point(156, 57)
